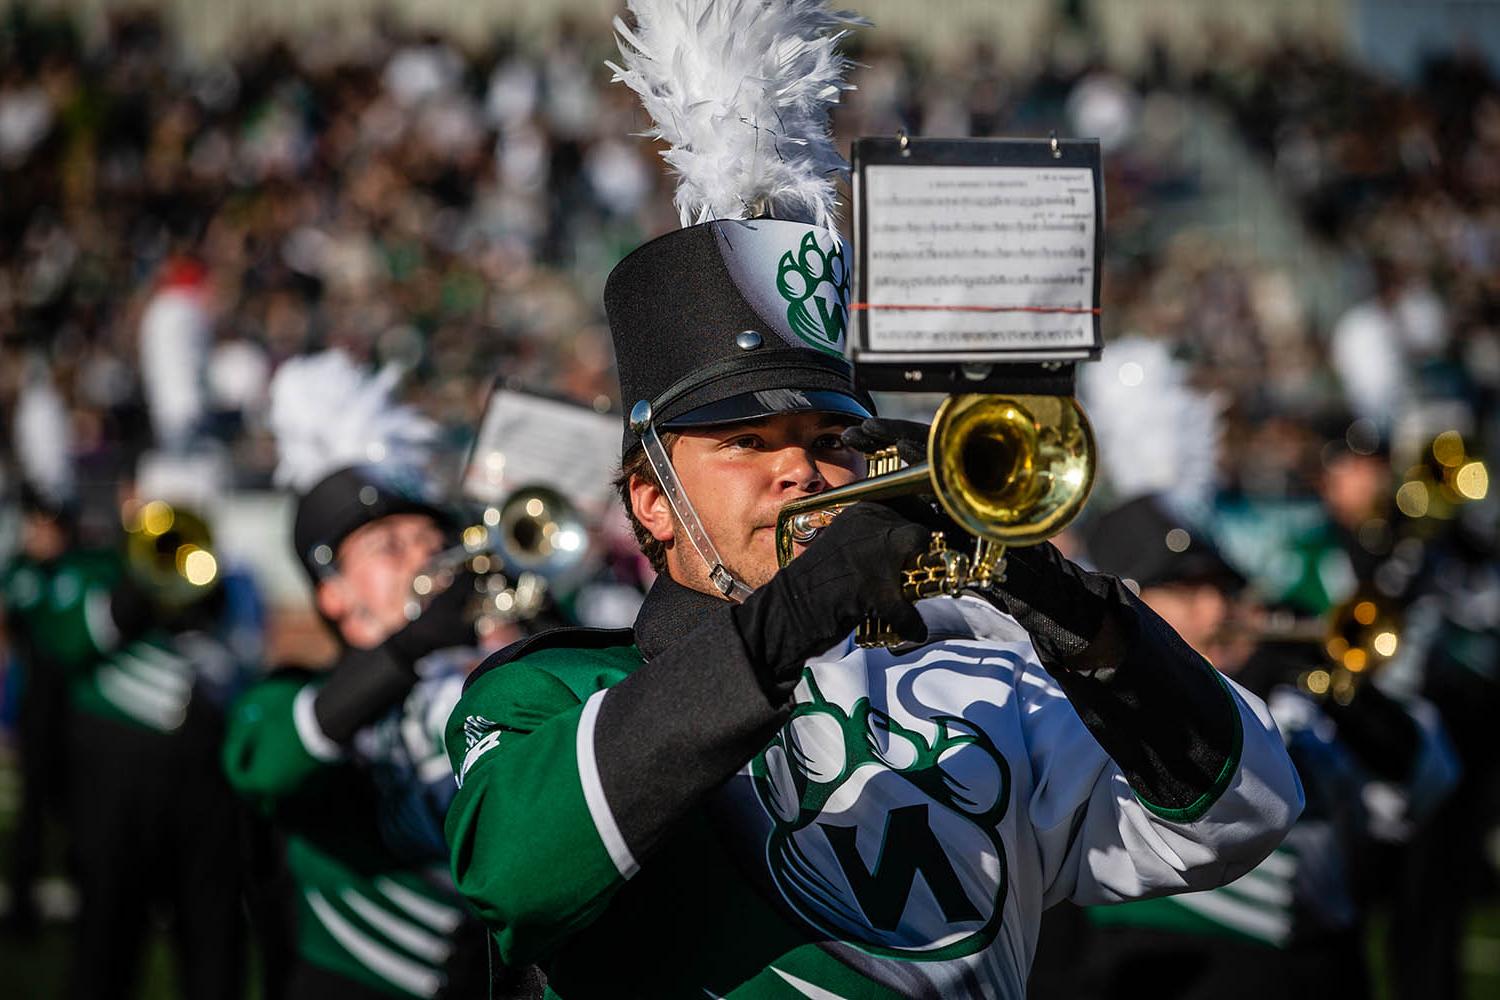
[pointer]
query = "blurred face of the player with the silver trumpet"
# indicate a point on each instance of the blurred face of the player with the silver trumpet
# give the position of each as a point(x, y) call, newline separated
point(376, 567)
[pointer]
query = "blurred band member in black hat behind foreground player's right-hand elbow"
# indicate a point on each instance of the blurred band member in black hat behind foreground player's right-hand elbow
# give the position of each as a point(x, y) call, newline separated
point(1292, 927)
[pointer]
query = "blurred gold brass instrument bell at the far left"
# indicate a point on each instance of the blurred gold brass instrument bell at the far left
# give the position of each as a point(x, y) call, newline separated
point(170, 551)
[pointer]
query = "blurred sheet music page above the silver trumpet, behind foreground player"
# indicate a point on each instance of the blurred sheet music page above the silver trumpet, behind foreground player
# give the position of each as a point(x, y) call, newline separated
point(527, 440)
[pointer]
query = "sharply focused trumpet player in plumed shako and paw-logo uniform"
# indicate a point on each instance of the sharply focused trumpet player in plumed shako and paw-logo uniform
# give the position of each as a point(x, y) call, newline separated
point(733, 798)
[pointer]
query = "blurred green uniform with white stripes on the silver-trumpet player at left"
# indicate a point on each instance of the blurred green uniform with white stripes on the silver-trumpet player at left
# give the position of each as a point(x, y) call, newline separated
point(364, 825)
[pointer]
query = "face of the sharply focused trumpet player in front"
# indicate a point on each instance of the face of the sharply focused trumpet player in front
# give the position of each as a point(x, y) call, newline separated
point(740, 476)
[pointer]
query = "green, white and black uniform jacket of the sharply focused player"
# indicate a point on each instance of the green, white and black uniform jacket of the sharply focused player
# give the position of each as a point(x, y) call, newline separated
point(637, 815)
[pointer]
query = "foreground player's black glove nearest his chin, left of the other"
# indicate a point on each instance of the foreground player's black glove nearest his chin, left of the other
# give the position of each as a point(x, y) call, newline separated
point(851, 572)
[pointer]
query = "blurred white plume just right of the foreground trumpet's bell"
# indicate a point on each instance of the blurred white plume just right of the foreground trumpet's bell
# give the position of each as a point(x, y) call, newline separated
point(1156, 434)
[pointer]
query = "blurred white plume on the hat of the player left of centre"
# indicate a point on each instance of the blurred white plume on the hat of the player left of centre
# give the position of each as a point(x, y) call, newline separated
point(329, 415)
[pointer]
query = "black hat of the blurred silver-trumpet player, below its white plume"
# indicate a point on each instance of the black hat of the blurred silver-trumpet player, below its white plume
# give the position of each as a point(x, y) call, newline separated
point(350, 499)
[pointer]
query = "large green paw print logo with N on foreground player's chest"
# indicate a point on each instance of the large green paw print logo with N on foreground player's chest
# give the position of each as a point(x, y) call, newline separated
point(884, 836)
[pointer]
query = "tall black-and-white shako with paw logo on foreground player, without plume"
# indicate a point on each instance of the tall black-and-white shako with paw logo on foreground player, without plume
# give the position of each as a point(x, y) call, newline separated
point(734, 320)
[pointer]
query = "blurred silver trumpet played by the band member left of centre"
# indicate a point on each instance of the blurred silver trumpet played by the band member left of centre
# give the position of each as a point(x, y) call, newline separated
point(518, 552)
